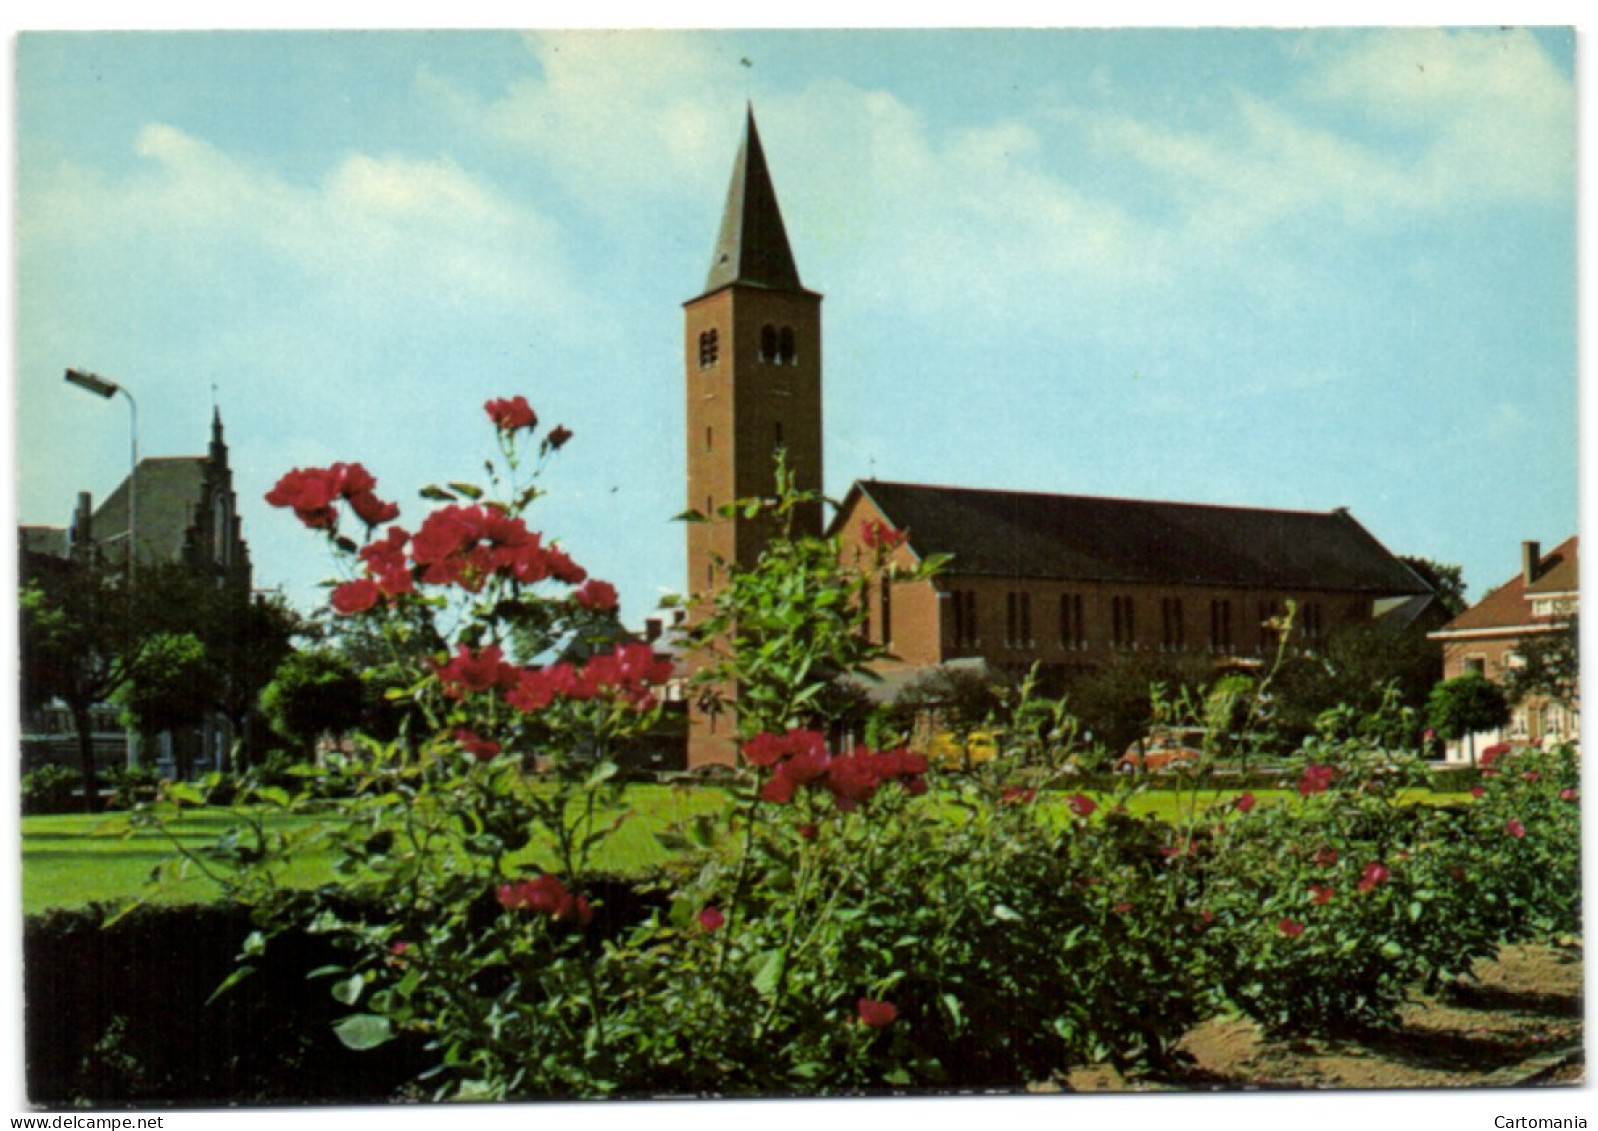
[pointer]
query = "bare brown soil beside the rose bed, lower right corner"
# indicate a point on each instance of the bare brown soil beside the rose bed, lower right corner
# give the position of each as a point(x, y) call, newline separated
point(1517, 1025)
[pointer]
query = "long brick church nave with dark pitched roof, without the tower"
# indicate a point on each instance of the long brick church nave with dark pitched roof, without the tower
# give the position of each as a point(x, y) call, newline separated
point(1073, 582)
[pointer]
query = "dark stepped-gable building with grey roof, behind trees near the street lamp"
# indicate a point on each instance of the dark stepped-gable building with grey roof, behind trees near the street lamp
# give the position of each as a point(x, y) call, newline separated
point(185, 514)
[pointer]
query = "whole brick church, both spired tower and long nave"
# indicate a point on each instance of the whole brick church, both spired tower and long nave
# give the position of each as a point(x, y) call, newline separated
point(1059, 581)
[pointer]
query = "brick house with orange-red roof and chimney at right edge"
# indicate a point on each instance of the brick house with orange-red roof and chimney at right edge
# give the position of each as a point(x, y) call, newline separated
point(1490, 638)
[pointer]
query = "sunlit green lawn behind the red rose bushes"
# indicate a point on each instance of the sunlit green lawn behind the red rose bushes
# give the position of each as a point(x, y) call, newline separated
point(70, 862)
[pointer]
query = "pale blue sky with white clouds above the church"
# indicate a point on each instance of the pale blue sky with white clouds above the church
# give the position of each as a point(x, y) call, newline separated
point(1300, 269)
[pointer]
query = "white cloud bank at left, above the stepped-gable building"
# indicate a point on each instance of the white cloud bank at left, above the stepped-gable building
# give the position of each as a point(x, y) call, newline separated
point(378, 231)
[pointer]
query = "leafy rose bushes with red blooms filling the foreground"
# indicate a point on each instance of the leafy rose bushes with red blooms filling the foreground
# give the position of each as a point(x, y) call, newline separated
point(849, 919)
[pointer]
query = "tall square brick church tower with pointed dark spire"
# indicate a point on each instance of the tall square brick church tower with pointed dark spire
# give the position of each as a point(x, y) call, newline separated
point(753, 363)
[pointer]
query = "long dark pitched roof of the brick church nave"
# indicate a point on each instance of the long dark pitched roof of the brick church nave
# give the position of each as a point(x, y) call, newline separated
point(1022, 534)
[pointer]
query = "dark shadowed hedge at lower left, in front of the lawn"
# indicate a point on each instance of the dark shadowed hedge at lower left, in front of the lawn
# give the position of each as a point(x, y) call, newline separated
point(121, 1015)
